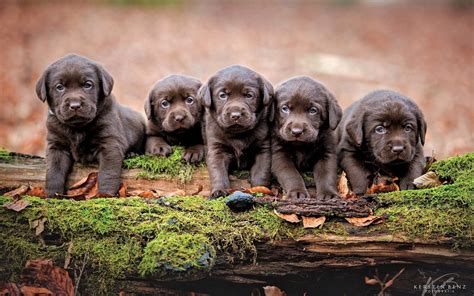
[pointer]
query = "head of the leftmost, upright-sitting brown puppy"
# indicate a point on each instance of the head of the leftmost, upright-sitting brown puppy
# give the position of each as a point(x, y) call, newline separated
point(75, 88)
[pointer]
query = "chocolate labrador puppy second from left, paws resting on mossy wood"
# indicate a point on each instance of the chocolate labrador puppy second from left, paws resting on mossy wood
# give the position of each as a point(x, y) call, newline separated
point(174, 117)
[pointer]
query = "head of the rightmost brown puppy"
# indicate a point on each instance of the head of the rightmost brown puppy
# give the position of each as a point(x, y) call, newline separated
point(390, 124)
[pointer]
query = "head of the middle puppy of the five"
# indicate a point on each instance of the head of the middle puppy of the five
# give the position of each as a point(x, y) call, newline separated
point(236, 97)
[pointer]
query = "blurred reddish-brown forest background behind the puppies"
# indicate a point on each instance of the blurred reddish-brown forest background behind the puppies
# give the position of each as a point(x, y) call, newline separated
point(424, 49)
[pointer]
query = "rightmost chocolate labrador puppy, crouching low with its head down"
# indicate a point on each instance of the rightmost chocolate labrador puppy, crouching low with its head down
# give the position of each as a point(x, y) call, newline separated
point(384, 133)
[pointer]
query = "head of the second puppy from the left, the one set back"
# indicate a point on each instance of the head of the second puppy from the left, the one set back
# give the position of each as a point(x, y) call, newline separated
point(173, 103)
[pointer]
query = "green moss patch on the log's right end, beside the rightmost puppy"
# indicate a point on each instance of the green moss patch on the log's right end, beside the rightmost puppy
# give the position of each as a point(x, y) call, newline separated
point(443, 212)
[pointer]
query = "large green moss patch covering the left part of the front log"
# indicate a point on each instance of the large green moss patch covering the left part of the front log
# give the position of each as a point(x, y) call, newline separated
point(172, 237)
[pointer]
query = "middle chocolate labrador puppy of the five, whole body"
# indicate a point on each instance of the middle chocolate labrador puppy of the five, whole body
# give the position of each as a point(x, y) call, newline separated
point(237, 102)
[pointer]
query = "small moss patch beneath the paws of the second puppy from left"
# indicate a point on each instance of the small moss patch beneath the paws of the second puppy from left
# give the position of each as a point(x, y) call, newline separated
point(160, 167)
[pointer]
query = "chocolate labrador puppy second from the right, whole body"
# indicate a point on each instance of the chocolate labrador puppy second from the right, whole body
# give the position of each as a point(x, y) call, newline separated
point(303, 139)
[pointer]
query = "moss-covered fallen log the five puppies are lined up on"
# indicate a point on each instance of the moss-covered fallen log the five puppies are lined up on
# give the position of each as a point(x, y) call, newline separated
point(144, 245)
